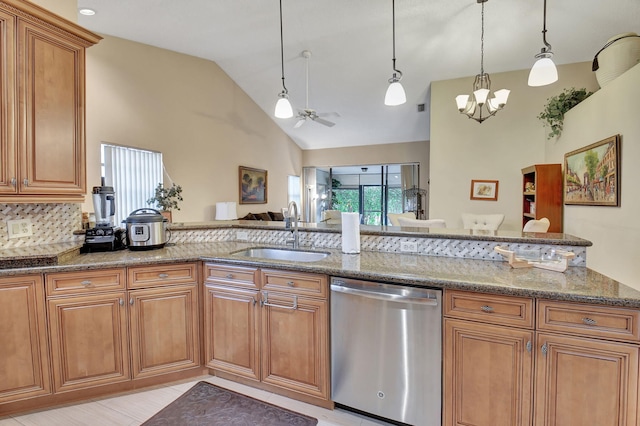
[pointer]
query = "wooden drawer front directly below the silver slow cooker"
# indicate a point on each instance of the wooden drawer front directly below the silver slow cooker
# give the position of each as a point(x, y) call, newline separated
point(162, 275)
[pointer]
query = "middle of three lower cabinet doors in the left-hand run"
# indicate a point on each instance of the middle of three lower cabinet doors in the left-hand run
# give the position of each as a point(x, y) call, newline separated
point(89, 340)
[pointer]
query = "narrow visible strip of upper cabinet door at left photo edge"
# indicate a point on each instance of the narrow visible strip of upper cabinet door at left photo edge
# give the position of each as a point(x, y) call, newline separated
point(8, 161)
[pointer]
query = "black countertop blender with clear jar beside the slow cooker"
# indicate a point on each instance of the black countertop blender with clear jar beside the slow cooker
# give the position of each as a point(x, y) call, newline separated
point(104, 236)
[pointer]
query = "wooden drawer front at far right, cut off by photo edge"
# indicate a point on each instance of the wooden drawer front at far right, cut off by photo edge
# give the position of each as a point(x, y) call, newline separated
point(589, 320)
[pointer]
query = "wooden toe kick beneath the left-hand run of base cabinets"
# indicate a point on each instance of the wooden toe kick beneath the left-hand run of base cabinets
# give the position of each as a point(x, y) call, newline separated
point(48, 401)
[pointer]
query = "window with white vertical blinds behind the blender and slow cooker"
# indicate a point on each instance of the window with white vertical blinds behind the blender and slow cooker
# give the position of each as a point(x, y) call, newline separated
point(134, 174)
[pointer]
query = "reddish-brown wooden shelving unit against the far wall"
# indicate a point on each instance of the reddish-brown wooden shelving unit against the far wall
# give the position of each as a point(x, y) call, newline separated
point(542, 194)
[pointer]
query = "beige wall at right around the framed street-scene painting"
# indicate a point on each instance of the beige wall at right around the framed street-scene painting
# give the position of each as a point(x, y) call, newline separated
point(614, 231)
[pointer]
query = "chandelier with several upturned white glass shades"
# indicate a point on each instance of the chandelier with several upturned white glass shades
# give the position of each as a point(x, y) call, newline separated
point(480, 100)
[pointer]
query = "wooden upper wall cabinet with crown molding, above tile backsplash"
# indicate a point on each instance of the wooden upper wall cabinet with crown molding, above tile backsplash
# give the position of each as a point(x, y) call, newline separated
point(42, 92)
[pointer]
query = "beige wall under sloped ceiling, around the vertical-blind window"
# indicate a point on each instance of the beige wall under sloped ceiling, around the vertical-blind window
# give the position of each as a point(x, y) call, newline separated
point(191, 111)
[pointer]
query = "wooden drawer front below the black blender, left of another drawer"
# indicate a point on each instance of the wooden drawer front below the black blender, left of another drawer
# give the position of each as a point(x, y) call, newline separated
point(64, 283)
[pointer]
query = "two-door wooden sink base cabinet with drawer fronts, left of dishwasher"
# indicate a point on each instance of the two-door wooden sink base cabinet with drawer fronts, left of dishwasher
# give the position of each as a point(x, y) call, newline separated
point(269, 327)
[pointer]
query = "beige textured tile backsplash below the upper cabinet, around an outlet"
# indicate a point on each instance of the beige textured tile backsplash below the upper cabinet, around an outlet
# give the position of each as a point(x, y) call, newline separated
point(51, 223)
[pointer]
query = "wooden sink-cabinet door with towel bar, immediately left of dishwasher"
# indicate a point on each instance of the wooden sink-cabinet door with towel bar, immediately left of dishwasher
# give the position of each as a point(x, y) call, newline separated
point(294, 343)
